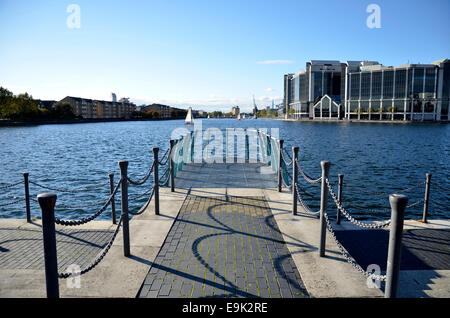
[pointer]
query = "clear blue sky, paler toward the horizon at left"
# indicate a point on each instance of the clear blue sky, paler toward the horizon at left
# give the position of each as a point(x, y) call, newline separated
point(209, 54)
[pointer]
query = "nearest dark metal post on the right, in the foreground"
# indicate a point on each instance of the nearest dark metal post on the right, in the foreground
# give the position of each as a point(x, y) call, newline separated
point(398, 205)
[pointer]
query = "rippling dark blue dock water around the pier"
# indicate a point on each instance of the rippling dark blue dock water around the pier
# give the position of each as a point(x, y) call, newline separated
point(374, 157)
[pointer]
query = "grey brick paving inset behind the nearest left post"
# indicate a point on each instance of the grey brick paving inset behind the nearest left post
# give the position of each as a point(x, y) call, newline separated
point(23, 249)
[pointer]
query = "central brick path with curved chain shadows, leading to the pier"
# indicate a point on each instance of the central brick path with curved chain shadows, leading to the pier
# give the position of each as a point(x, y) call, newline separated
point(224, 246)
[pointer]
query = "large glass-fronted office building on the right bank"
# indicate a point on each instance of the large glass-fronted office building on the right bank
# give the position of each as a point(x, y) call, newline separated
point(367, 90)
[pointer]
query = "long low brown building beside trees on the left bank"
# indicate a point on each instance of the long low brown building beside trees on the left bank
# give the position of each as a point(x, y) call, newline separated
point(89, 108)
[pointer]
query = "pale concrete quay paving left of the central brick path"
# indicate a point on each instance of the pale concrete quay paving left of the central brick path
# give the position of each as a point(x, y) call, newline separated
point(22, 272)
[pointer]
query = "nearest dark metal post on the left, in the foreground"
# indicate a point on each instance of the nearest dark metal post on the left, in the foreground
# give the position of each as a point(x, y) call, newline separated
point(47, 203)
